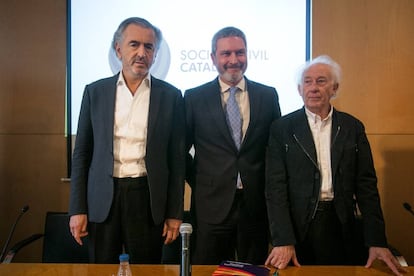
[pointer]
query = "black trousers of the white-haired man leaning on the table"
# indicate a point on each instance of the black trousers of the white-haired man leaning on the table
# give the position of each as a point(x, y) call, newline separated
point(325, 243)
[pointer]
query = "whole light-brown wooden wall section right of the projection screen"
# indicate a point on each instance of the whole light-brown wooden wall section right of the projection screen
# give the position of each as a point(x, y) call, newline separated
point(373, 40)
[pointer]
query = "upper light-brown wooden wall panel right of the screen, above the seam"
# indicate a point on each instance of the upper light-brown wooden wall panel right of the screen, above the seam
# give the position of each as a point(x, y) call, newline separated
point(373, 42)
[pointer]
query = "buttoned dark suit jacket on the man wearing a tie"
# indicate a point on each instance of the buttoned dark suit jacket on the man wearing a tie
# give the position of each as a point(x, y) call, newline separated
point(213, 171)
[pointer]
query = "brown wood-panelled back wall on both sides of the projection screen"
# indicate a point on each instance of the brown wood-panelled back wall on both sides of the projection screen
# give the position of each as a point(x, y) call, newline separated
point(371, 39)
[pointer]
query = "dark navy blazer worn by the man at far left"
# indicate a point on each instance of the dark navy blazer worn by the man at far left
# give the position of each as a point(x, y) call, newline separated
point(93, 160)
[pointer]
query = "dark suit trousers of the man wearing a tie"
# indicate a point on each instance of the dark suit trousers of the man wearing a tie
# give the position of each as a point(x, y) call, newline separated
point(239, 237)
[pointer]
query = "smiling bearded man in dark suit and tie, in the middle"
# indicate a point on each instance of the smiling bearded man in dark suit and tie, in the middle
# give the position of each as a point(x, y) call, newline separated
point(227, 171)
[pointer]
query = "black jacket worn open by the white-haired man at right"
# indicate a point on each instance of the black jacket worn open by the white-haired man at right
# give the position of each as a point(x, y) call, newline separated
point(293, 178)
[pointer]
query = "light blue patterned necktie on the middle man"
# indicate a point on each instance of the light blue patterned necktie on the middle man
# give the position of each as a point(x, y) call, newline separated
point(234, 117)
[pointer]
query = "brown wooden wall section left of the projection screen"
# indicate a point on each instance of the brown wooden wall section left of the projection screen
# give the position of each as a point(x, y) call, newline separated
point(32, 122)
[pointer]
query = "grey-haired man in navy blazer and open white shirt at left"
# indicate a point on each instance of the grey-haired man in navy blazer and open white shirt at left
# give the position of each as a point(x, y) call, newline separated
point(128, 165)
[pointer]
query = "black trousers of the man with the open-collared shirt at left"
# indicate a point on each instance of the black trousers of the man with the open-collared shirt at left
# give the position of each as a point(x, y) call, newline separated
point(129, 226)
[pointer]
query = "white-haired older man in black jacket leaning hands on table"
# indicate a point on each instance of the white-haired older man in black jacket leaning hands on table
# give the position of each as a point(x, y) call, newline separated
point(319, 164)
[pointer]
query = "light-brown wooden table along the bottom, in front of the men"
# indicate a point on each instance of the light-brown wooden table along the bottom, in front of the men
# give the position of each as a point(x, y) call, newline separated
point(23, 269)
